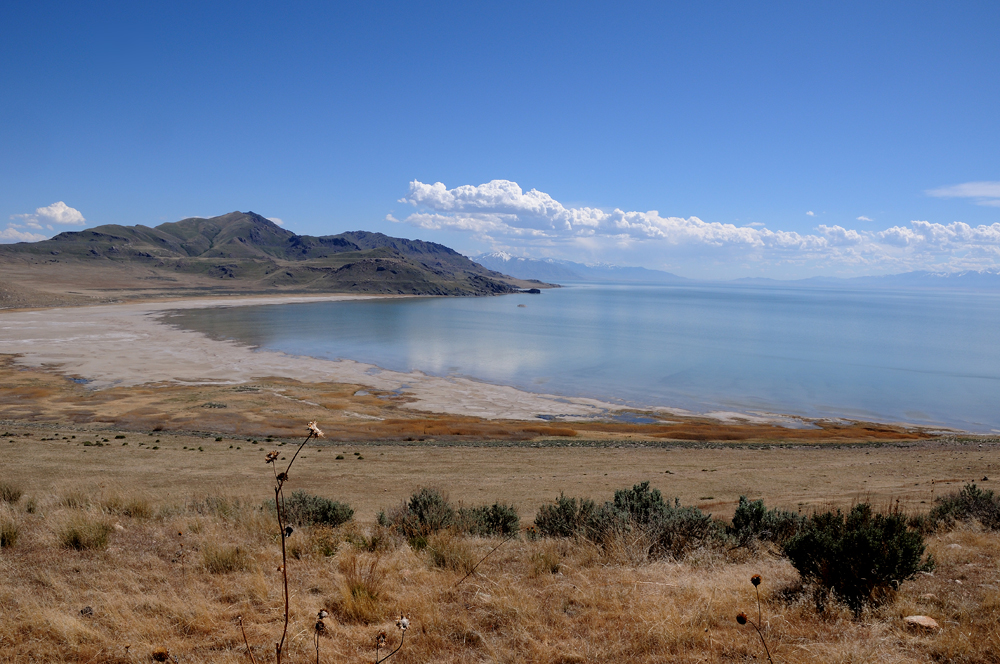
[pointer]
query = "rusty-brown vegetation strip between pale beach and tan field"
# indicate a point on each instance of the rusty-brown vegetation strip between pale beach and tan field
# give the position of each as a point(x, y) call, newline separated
point(276, 407)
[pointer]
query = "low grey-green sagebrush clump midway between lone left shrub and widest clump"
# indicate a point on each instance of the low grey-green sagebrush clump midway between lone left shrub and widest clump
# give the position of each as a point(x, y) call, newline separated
point(428, 511)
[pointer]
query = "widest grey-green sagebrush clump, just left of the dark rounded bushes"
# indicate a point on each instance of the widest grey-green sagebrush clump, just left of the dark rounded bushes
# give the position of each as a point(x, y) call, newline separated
point(669, 528)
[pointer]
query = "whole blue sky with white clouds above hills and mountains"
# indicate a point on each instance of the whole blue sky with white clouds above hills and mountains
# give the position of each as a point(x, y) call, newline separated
point(779, 139)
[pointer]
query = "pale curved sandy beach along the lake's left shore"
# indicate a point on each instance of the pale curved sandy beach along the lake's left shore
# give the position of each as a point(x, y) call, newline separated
point(121, 345)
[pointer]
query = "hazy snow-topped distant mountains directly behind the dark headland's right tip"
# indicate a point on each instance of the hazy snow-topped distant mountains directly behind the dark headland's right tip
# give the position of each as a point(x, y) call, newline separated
point(550, 269)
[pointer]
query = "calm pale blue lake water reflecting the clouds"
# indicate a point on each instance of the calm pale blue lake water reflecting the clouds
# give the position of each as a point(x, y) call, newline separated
point(926, 358)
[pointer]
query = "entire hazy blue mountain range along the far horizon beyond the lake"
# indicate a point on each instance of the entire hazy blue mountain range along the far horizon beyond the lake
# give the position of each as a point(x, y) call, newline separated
point(550, 269)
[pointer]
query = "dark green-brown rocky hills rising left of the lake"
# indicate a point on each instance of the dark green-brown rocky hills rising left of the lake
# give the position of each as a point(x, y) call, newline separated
point(240, 252)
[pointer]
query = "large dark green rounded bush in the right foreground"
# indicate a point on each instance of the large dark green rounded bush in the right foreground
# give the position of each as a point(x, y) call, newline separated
point(862, 557)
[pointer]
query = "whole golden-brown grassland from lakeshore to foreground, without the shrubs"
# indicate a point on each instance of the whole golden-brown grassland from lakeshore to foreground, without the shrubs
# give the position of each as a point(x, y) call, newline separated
point(189, 548)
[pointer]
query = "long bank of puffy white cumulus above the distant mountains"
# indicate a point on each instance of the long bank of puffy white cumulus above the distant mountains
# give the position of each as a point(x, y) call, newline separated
point(501, 213)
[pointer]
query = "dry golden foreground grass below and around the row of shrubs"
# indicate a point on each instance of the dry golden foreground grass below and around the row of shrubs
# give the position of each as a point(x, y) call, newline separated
point(542, 601)
